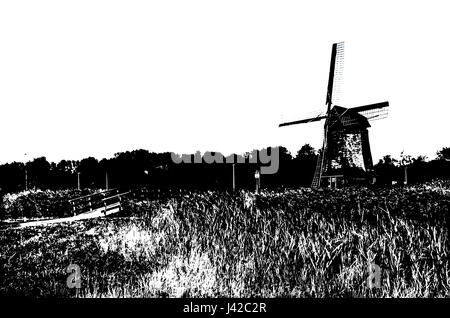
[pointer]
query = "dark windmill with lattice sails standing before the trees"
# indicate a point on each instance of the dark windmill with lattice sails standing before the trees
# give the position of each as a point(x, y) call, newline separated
point(345, 155)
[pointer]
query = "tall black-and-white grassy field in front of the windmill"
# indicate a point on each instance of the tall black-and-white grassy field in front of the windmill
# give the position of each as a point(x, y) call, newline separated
point(290, 243)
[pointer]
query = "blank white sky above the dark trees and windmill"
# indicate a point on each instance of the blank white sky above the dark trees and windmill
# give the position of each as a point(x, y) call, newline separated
point(81, 78)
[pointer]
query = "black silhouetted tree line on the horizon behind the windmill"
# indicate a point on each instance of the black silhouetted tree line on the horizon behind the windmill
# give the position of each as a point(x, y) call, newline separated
point(144, 168)
